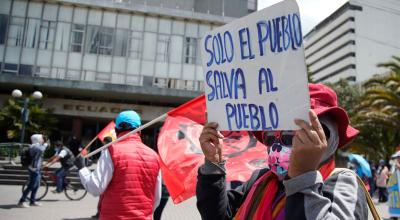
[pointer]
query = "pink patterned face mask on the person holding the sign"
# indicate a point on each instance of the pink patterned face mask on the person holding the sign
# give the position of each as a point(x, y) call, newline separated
point(280, 148)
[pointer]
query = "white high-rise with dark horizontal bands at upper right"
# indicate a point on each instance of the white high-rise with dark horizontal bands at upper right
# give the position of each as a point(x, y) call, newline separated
point(353, 40)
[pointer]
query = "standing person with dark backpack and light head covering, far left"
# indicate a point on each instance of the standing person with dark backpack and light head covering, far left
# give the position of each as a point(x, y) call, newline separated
point(32, 158)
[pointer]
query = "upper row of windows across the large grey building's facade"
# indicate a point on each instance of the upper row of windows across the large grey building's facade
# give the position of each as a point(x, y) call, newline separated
point(93, 39)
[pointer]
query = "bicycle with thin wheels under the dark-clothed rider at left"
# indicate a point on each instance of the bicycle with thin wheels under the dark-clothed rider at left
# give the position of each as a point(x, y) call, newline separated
point(72, 191)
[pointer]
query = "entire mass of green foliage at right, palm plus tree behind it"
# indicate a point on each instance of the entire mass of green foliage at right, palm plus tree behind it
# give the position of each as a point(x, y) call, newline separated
point(374, 109)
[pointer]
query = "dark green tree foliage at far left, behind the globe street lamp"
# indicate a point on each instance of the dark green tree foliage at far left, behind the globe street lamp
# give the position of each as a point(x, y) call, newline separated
point(40, 121)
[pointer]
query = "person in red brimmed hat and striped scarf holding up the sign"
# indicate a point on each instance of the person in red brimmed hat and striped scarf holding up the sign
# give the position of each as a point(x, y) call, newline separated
point(299, 183)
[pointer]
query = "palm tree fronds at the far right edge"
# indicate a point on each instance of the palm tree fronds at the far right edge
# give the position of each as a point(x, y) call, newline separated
point(378, 114)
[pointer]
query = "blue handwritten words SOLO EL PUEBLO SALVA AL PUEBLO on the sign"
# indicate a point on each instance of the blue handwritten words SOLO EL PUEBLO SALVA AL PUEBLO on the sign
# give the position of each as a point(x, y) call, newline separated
point(277, 36)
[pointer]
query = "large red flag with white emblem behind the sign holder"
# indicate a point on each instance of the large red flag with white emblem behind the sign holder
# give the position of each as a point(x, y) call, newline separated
point(181, 155)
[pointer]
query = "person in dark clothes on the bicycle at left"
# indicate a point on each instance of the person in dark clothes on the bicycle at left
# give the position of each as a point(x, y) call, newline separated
point(66, 158)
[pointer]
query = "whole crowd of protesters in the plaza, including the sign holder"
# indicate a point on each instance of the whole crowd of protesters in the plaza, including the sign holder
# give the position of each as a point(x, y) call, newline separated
point(301, 181)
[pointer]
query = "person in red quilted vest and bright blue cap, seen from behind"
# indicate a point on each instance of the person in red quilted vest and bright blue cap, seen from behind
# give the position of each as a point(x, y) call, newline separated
point(127, 175)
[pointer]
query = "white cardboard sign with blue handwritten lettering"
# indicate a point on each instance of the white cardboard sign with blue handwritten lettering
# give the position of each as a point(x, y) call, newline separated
point(254, 71)
